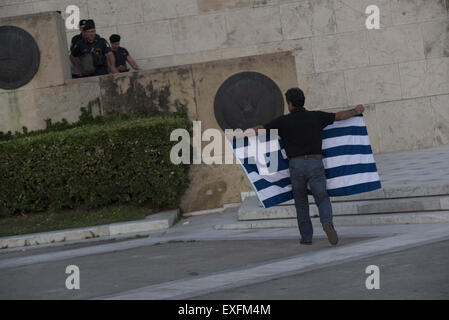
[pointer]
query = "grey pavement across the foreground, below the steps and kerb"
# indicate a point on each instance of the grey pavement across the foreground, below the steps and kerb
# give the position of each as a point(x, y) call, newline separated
point(193, 259)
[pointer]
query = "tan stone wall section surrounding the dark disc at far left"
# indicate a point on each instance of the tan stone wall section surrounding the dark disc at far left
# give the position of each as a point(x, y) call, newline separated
point(18, 107)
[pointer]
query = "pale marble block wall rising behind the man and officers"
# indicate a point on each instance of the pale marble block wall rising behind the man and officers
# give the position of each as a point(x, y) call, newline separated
point(401, 71)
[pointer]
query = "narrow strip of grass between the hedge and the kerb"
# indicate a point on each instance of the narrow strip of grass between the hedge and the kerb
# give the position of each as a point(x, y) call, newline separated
point(70, 219)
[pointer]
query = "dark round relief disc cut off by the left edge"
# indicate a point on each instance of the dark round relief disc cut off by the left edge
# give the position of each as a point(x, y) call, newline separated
point(19, 57)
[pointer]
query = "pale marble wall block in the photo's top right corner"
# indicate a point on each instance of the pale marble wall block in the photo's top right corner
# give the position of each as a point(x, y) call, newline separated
point(406, 11)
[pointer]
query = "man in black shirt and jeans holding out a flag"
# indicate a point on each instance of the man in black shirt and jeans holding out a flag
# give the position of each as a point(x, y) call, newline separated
point(302, 134)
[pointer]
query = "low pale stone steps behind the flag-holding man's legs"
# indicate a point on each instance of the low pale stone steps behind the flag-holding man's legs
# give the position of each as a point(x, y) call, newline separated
point(415, 190)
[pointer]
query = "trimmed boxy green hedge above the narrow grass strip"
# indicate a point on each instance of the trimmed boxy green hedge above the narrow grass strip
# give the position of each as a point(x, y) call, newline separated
point(92, 166)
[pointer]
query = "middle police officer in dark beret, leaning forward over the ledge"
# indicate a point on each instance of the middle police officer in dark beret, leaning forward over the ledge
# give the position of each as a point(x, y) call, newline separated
point(94, 53)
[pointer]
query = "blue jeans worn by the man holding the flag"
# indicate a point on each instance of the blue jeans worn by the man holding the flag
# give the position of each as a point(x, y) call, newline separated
point(309, 171)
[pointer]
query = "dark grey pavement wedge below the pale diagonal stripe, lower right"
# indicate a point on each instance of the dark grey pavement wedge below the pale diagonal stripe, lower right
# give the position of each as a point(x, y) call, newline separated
point(417, 273)
